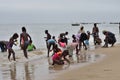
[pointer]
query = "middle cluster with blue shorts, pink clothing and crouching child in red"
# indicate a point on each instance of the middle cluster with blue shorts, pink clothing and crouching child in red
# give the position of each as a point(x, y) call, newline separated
point(52, 44)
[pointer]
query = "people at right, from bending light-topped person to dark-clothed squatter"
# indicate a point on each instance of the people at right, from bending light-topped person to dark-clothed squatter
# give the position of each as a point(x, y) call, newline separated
point(84, 37)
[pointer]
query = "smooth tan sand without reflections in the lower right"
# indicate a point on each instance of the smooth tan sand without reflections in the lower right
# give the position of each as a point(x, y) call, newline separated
point(106, 69)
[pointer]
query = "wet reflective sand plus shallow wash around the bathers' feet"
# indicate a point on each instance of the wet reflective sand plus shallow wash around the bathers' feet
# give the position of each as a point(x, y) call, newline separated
point(38, 65)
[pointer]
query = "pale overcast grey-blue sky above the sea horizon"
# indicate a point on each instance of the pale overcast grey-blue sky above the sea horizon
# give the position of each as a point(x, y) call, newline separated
point(59, 11)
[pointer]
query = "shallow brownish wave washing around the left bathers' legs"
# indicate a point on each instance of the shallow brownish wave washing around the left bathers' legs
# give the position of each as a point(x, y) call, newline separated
point(32, 55)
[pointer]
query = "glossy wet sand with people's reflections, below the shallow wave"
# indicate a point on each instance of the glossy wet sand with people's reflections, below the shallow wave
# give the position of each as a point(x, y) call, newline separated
point(40, 68)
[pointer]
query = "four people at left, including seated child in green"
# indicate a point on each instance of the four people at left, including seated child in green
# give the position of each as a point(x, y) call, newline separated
point(25, 44)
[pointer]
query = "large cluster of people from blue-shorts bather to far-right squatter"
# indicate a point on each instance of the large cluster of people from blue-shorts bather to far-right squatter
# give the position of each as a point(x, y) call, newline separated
point(81, 38)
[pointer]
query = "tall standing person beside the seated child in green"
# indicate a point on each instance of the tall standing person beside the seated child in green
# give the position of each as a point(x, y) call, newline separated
point(24, 41)
